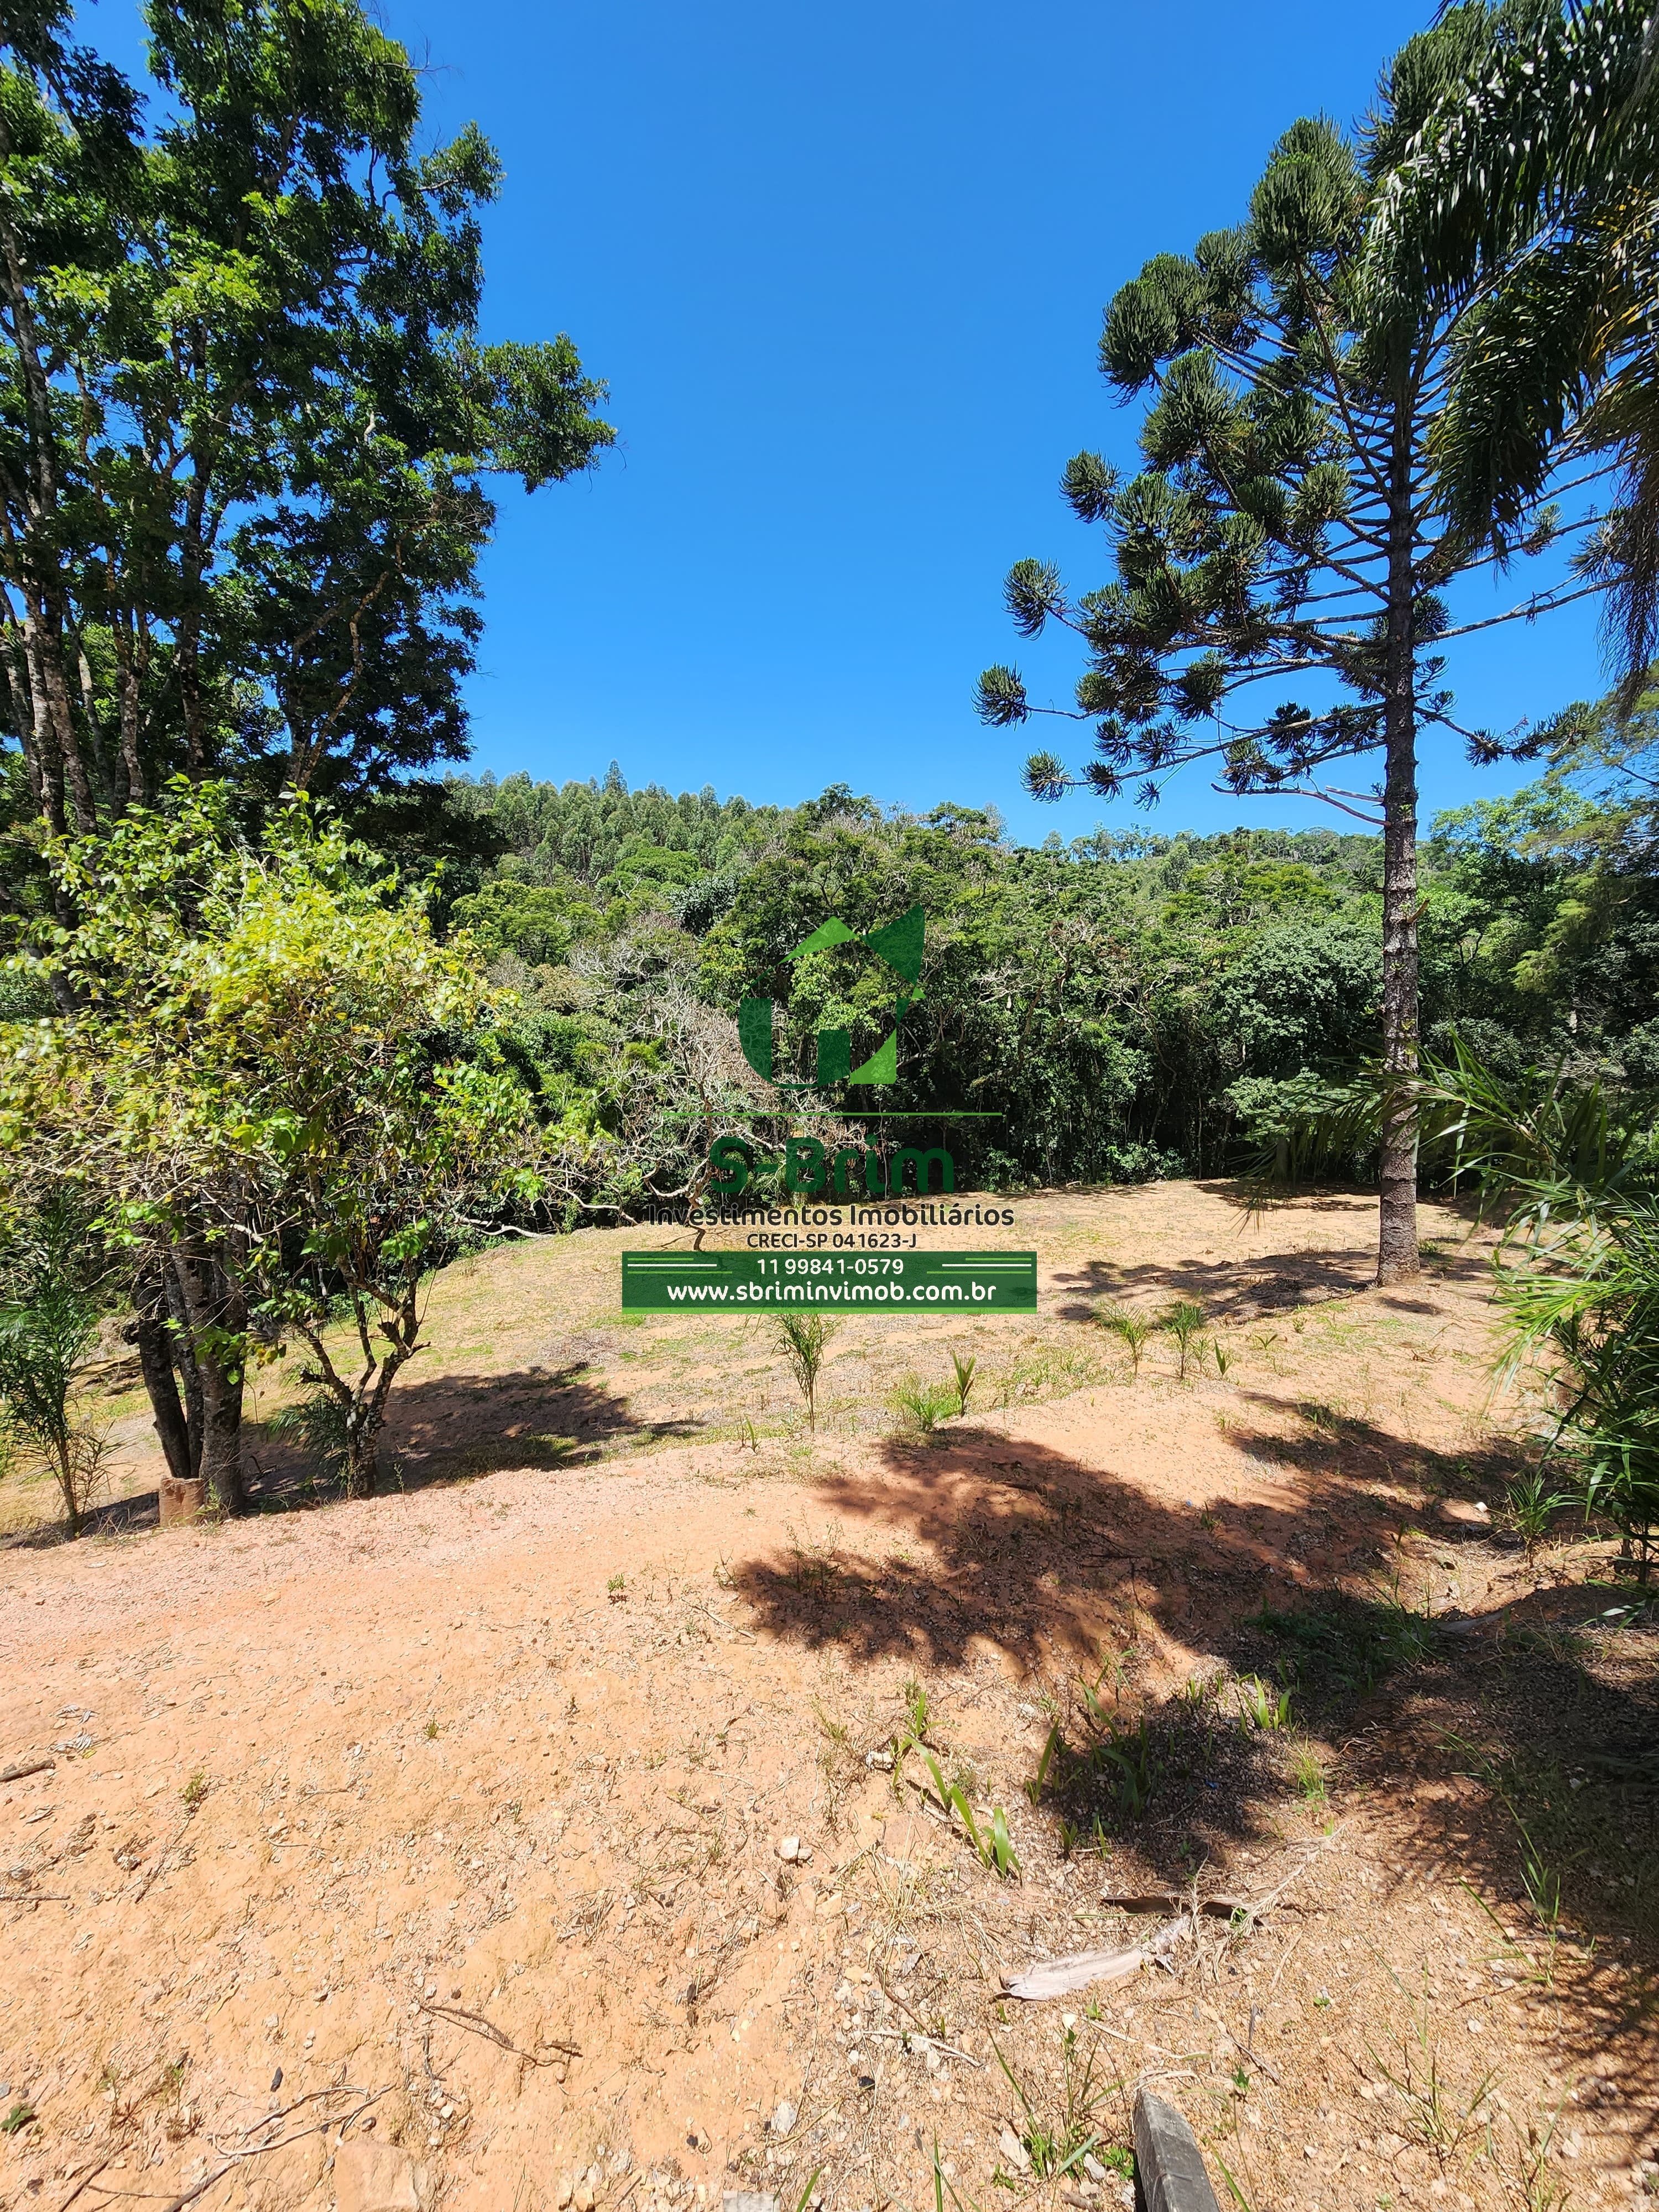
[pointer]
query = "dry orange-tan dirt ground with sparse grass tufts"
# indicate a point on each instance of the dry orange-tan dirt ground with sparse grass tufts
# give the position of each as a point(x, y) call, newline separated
point(565, 1828)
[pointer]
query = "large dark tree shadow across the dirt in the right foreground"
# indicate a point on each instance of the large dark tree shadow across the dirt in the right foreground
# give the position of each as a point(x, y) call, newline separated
point(1306, 1616)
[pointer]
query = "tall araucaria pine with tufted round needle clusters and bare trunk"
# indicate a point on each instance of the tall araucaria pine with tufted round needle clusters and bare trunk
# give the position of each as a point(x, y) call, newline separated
point(1284, 534)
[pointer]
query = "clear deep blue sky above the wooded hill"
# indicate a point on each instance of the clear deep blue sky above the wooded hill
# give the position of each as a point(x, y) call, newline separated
point(844, 271)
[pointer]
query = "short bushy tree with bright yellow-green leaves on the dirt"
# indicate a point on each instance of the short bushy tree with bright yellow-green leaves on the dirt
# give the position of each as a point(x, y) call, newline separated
point(284, 1098)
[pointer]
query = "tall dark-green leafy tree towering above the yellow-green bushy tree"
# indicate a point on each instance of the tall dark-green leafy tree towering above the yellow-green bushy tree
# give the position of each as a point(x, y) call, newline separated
point(247, 419)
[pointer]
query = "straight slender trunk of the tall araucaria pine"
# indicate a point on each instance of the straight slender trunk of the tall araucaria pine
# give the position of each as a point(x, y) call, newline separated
point(1397, 1253)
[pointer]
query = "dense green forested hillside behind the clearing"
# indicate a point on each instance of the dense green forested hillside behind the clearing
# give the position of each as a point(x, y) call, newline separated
point(1125, 1005)
